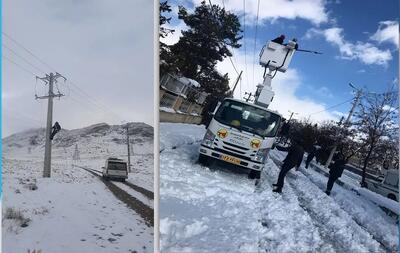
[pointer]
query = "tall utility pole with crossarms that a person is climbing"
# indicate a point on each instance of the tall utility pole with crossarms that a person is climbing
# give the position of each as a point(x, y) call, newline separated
point(50, 80)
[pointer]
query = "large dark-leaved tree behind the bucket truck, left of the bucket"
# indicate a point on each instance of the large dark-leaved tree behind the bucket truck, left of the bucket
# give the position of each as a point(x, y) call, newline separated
point(211, 32)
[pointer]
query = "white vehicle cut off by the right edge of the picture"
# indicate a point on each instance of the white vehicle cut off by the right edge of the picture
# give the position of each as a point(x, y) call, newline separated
point(389, 187)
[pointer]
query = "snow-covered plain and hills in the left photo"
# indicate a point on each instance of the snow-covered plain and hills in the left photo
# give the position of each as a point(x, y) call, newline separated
point(74, 211)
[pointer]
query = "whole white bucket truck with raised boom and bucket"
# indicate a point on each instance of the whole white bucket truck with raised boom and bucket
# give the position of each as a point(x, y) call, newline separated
point(243, 133)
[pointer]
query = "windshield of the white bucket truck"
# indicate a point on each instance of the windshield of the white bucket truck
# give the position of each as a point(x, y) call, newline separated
point(248, 118)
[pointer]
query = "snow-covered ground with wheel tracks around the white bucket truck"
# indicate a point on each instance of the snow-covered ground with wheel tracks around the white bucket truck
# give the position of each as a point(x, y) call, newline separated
point(211, 210)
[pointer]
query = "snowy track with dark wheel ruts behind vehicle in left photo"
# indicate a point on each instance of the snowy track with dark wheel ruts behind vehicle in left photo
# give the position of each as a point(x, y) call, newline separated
point(137, 202)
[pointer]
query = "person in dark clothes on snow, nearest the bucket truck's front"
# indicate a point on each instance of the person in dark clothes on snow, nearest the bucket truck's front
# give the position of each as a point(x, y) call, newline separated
point(293, 159)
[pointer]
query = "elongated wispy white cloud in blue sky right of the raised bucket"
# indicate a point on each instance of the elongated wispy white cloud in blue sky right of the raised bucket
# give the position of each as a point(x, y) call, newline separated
point(367, 53)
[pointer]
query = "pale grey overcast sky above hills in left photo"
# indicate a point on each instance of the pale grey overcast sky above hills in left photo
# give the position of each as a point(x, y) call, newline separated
point(104, 47)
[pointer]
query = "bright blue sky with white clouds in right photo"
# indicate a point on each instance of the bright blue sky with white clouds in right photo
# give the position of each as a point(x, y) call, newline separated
point(359, 41)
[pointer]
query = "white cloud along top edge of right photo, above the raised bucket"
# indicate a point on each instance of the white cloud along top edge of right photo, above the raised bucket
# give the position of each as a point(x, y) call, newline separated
point(312, 10)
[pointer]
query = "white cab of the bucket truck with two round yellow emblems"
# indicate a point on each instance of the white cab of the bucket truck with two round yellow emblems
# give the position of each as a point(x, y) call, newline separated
point(240, 133)
